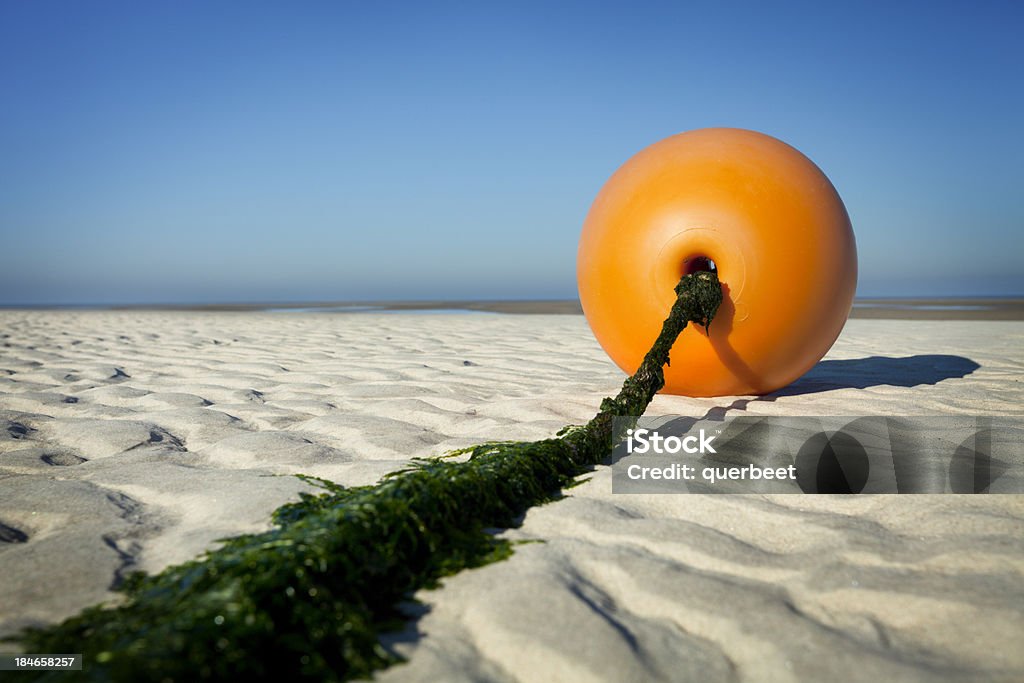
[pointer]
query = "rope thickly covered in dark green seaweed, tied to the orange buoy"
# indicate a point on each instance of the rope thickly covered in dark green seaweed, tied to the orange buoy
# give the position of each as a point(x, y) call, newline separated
point(312, 596)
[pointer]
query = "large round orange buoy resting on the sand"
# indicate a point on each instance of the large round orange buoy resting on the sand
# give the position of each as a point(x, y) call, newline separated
point(749, 206)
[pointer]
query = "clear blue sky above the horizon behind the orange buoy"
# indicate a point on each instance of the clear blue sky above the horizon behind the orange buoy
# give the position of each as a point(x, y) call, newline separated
point(160, 152)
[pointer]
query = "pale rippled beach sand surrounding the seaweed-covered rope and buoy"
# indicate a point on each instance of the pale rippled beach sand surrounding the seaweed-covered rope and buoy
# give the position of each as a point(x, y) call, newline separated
point(136, 440)
